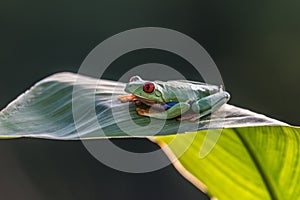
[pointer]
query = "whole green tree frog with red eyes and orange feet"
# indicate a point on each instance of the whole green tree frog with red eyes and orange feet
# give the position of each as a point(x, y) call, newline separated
point(181, 99)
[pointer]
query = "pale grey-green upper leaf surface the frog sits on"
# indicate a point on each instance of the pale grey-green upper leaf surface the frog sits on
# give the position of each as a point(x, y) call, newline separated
point(60, 105)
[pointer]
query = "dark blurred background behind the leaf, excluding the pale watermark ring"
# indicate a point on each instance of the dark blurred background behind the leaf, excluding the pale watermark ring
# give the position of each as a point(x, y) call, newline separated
point(255, 44)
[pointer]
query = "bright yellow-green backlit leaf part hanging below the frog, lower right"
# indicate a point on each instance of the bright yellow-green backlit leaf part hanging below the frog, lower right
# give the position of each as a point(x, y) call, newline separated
point(246, 163)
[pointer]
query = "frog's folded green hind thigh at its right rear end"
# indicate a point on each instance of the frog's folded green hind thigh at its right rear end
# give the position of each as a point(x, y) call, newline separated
point(210, 103)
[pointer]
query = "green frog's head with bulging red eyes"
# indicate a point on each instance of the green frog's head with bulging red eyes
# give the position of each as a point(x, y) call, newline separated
point(144, 89)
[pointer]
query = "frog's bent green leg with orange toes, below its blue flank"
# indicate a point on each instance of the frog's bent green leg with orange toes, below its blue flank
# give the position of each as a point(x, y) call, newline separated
point(175, 111)
